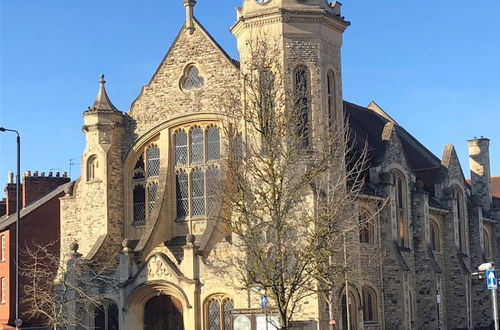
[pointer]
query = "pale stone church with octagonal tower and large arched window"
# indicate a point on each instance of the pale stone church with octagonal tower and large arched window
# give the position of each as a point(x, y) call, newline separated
point(142, 202)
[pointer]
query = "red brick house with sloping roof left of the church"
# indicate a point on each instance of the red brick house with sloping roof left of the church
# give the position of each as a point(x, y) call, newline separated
point(39, 224)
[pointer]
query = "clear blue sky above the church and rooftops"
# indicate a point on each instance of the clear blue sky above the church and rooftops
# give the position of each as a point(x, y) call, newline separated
point(434, 66)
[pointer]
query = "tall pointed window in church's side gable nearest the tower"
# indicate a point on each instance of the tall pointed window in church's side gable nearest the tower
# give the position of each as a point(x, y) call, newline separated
point(401, 204)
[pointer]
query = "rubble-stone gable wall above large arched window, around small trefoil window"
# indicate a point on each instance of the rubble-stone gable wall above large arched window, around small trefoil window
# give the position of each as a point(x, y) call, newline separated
point(163, 98)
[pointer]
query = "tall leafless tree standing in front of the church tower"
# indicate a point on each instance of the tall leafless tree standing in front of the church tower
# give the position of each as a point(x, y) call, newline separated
point(289, 192)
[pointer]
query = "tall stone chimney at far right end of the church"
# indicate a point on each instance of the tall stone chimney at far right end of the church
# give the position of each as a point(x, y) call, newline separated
point(479, 160)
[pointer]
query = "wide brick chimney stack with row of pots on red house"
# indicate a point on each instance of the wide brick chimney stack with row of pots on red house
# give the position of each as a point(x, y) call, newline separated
point(36, 186)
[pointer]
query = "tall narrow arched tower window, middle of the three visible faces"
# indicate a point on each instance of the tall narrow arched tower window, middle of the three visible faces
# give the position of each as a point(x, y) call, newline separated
point(302, 104)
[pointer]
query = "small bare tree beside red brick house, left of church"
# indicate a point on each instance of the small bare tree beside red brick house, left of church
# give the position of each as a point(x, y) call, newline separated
point(60, 293)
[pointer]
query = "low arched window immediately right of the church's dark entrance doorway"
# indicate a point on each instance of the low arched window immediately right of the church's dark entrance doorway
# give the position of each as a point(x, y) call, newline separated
point(218, 312)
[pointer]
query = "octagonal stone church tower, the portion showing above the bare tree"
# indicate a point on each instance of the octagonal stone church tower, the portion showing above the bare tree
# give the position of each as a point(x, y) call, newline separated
point(308, 35)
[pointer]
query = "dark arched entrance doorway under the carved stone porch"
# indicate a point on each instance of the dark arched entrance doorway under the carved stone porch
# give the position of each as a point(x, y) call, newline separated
point(163, 312)
